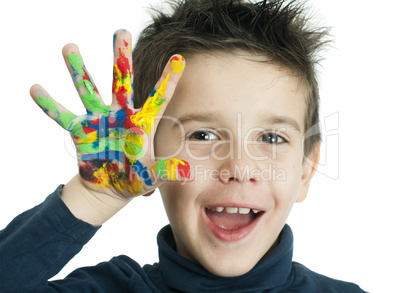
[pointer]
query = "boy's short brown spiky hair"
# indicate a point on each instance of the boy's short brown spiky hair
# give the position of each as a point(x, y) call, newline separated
point(277, 29)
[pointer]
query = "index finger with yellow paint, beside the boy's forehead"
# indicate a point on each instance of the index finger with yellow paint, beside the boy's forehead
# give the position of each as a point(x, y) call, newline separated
point(154, 107)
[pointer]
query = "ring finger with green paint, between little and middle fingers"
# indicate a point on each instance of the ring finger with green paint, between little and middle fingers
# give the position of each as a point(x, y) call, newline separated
point(84, 83)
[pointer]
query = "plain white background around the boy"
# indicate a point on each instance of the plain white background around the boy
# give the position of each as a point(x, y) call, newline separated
point(350, 225)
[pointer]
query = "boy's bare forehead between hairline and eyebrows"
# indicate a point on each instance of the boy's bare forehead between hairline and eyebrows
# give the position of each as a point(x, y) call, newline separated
point(222, 85)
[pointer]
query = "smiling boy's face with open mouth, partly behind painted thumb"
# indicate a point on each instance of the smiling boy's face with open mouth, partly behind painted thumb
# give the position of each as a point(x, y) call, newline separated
point(239, 124)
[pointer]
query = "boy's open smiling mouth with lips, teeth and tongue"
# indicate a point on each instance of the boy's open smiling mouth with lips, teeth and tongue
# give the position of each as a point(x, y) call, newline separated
point(230, 223)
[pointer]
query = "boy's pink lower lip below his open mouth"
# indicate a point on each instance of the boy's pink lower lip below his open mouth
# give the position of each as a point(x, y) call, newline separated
point(230, 235)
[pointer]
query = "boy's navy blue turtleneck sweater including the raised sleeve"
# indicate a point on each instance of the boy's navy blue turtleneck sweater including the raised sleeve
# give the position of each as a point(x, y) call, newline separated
point(38, 243)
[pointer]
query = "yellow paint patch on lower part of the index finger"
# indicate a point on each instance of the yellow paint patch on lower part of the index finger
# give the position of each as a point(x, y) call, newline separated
point(145, 119)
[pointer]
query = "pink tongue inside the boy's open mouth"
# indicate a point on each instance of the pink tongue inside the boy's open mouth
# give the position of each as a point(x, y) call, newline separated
point(229, 221)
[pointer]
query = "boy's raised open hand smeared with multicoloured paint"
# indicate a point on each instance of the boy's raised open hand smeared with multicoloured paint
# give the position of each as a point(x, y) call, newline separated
point(114, 142)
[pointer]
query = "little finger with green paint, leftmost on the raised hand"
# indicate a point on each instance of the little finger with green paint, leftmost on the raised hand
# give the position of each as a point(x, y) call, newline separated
point(53, 109)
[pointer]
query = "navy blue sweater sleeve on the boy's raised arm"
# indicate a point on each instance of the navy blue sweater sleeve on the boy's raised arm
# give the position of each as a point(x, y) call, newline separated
point(37, 244)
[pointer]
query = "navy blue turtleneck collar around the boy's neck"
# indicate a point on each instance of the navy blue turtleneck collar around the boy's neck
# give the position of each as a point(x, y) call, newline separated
point(183, 275)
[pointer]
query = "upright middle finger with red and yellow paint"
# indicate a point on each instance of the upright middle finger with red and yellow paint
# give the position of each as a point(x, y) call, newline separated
point(122, 90)
